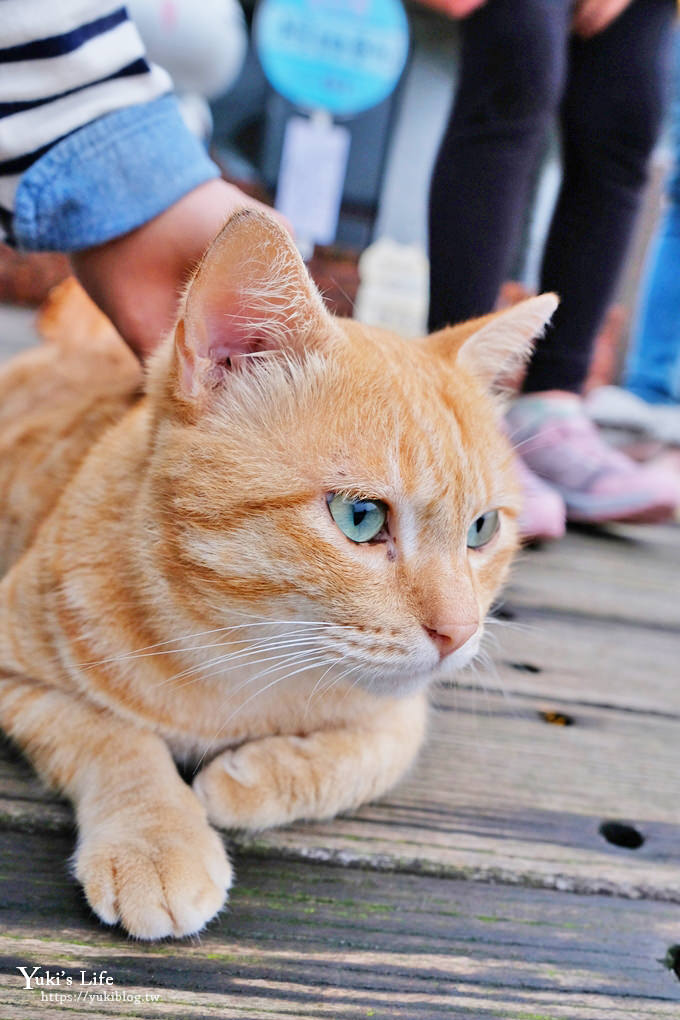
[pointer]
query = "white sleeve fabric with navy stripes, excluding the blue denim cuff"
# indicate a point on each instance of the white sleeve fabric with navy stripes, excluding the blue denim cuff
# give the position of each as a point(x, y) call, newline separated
point(65, 65)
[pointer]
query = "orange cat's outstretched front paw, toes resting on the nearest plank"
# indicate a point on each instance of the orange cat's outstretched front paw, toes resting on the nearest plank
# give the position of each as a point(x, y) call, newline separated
point(164, 878)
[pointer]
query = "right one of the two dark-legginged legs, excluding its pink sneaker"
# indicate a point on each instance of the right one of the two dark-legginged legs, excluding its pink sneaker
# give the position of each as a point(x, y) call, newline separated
point(610, 116)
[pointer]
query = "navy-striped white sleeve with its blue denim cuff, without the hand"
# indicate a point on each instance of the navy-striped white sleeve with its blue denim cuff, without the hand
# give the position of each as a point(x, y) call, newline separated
point(92, 143)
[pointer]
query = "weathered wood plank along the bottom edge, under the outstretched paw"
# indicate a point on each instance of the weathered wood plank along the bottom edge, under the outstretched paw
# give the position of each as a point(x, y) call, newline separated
point(308, 941)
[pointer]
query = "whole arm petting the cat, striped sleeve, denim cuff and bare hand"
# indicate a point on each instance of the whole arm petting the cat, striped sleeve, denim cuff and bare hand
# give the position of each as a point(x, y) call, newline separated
point(96, 160)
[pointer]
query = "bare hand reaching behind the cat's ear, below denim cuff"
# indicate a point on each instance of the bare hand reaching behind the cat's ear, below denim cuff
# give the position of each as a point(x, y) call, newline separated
point(137, 280)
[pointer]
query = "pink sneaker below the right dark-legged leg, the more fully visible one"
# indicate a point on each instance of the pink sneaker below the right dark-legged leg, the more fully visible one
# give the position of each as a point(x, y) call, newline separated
point(557, 440)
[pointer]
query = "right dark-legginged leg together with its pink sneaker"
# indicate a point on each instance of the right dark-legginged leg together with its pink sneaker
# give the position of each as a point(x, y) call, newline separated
point(610, 116)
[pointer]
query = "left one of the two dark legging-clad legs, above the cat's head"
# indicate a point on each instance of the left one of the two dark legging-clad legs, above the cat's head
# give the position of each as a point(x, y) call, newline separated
point(513, 62)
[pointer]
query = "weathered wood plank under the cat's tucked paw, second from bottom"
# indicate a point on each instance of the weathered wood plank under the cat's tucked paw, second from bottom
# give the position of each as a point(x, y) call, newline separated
point(498, 796)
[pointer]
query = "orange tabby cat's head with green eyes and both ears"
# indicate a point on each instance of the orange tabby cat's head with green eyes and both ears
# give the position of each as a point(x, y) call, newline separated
point(316, 471)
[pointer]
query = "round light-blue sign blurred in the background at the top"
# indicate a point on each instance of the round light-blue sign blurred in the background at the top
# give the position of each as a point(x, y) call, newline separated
point(343, 57)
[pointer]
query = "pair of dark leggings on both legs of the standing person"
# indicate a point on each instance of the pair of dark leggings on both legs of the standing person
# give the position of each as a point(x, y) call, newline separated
point(520, 67)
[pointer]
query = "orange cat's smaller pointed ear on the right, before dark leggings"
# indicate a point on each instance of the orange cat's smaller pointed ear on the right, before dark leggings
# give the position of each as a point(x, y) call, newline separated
point(498, 346)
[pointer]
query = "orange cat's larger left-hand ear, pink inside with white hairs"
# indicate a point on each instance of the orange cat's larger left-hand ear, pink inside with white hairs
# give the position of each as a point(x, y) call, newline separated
point(251, 294)
